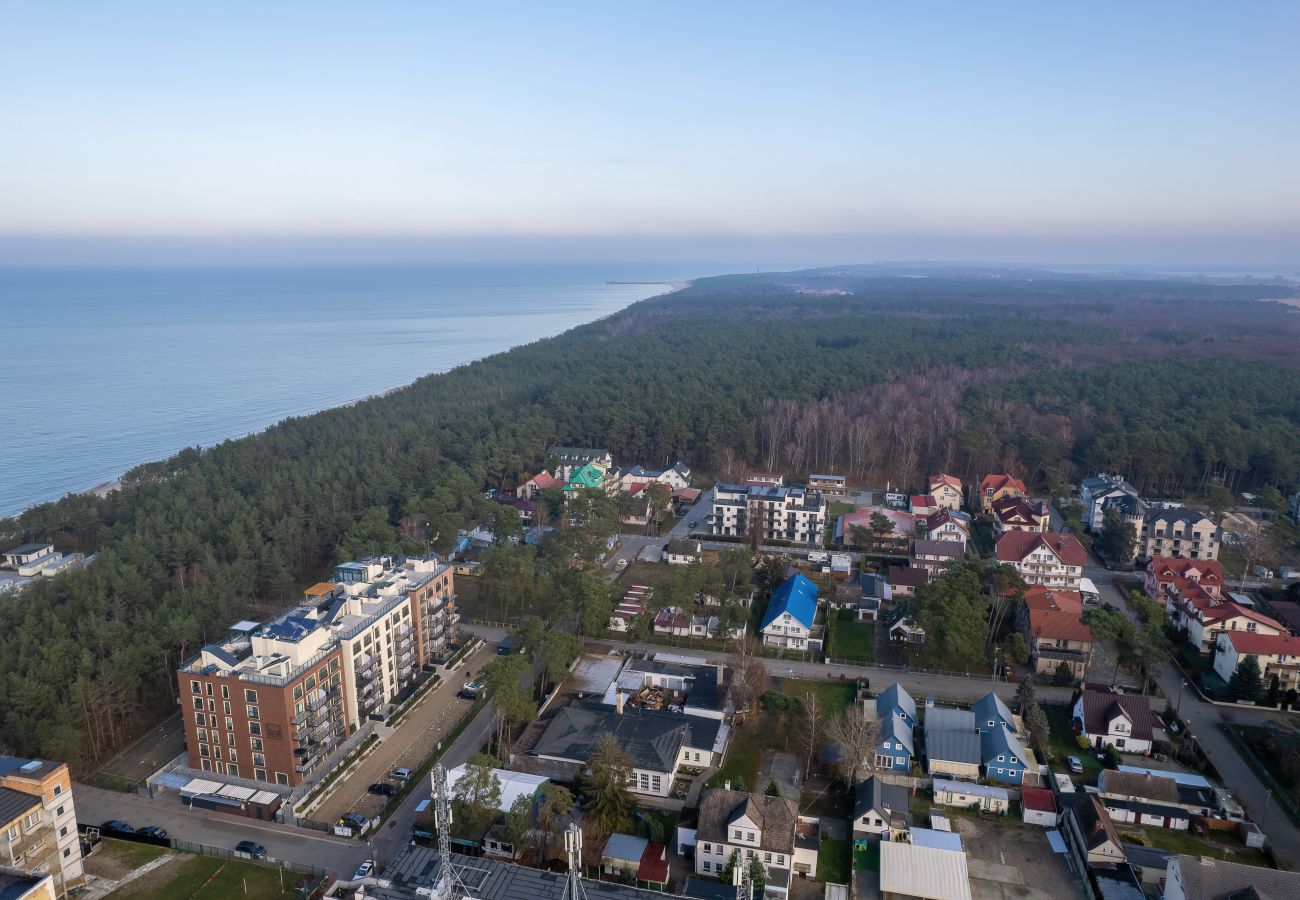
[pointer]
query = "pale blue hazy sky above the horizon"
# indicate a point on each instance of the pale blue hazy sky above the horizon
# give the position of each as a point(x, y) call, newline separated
point(1154, 133)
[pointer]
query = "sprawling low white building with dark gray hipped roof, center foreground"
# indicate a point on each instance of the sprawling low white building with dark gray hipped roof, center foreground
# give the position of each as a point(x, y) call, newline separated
point(660, 743)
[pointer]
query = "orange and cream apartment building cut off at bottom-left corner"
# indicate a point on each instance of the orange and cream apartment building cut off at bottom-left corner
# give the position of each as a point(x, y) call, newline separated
point(38, 821)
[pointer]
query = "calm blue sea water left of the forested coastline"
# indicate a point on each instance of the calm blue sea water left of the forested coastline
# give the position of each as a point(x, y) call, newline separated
point(105, 370)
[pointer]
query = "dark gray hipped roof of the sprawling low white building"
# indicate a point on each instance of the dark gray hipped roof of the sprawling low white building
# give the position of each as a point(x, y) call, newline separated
point(653, 739)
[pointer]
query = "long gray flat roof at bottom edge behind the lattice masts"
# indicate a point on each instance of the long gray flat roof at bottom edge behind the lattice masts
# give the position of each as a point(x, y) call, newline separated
point(489, 880)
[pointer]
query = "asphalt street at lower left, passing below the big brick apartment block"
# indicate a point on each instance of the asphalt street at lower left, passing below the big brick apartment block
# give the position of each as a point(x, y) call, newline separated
point(283, 842)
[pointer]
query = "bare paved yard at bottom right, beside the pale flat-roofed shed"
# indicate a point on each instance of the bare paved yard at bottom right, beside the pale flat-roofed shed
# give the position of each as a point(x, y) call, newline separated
point(1011, 860)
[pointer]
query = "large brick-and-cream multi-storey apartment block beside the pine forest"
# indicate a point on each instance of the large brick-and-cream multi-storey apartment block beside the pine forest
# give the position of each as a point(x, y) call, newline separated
point(275, 700)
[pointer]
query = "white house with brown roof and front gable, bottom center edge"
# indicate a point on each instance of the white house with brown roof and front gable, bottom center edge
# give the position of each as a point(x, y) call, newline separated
point(757, 827)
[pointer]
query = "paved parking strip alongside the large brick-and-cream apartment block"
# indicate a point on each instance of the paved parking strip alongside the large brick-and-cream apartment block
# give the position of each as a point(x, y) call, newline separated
point(408, 747)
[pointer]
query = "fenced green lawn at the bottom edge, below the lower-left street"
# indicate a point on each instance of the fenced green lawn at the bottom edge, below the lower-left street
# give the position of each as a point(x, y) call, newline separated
point(211, 879)
